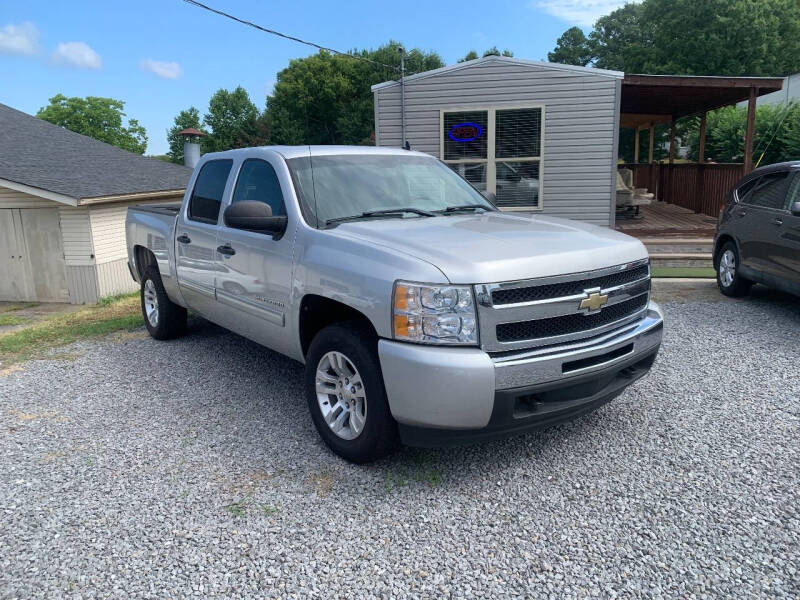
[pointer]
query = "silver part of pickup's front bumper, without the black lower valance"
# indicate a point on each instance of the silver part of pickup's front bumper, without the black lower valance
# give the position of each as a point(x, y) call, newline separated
point(455, 388)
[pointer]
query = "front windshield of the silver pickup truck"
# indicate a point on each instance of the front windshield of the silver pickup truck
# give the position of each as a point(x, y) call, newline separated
point(335, 187)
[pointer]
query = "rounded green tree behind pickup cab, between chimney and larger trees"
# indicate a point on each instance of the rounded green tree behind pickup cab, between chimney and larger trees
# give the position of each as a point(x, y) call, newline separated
point(232, 119)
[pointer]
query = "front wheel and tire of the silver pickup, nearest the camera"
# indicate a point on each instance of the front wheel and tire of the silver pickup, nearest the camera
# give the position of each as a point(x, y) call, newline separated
point(343, 359)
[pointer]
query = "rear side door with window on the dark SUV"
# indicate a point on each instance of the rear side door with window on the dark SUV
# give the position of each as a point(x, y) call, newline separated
point(757, 229)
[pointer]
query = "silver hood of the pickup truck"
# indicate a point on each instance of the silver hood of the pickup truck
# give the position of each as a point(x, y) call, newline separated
point(495, 247)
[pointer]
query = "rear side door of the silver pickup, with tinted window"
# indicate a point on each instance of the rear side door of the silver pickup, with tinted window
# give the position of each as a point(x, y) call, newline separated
point(196, 237)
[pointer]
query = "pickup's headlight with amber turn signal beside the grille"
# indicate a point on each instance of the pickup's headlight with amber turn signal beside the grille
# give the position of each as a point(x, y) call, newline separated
point(441, 314)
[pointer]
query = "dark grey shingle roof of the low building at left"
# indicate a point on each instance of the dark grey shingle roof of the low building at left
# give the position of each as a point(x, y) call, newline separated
point(37, 156)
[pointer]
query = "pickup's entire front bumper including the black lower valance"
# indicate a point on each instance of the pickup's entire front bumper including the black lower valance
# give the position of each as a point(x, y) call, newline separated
point(444, 395)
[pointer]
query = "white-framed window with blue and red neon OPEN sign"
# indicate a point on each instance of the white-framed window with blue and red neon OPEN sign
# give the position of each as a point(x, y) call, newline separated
point(498, 150)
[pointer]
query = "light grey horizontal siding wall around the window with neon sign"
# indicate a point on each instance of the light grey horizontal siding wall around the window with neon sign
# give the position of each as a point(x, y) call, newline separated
point(581, 121)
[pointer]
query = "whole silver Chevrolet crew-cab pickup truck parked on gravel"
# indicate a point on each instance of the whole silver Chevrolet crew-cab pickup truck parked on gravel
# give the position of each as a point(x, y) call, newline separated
point(422, 313)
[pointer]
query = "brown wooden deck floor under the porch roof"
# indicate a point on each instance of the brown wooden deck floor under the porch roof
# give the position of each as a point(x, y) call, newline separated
point(662, 220)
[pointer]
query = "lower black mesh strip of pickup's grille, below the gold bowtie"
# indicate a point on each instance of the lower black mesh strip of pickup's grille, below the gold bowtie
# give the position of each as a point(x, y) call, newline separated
point(566, 324)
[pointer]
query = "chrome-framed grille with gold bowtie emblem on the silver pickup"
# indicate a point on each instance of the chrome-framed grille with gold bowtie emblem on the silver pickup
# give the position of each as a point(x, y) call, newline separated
point(551, 310)
